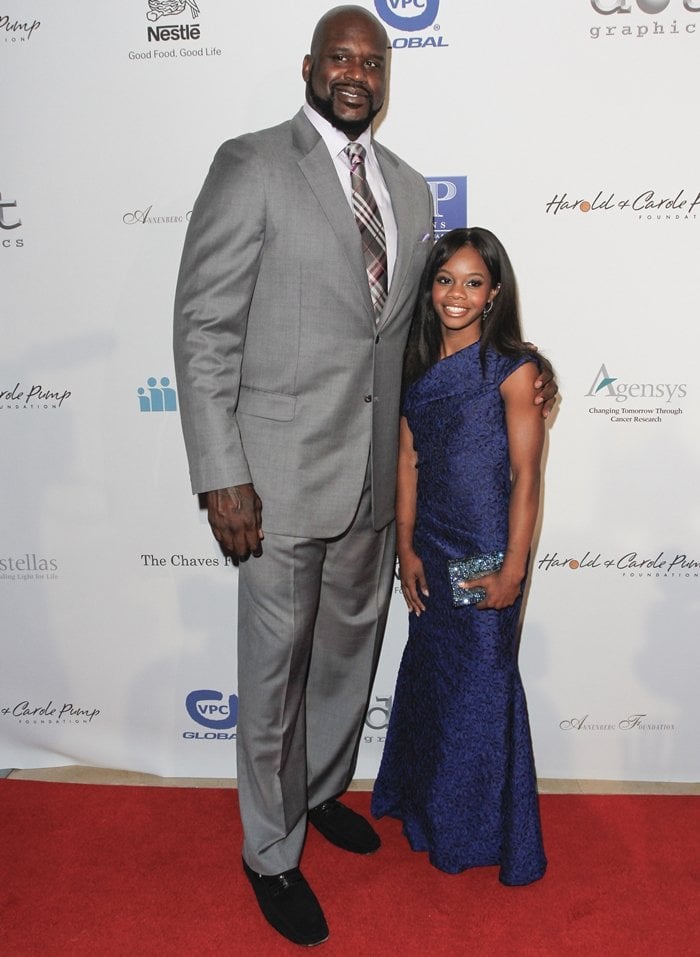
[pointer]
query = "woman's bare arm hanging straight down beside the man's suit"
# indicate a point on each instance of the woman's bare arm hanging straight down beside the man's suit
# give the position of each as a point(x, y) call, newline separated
point(413, 582)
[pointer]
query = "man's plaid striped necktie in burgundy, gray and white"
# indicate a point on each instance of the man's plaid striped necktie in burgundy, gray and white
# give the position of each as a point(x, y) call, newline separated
point(371, 228)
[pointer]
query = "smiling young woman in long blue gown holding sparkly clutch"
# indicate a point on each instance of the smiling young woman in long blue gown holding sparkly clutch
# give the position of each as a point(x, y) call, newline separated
point(458, 766)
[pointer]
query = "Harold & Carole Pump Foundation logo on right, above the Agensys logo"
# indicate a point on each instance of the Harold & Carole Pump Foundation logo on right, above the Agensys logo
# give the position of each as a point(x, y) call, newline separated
point(645, 205)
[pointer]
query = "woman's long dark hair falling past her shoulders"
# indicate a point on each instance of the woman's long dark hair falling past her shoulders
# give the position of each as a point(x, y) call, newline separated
point(501, 331)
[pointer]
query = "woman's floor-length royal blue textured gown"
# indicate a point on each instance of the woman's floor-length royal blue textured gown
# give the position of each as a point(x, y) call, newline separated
point(458, 766)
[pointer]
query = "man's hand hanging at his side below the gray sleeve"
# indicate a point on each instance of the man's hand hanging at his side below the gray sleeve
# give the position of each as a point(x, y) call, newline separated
point(235, 516)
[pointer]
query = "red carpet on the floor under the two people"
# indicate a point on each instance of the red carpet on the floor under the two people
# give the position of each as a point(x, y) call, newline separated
point(102, 871)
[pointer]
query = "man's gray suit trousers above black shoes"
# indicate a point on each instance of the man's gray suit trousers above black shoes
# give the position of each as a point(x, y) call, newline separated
point(311, 616)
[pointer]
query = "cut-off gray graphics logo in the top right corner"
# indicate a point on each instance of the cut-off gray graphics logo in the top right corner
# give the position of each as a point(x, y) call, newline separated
point(671, 19)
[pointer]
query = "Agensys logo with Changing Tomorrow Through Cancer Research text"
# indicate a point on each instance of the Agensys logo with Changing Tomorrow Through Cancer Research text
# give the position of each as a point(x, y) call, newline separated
point(622, 401)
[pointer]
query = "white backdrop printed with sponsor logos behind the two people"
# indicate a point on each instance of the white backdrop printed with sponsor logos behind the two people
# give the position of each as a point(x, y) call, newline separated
point(569, 127)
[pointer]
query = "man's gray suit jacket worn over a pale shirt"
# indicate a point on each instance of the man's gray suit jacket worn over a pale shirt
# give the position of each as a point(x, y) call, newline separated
point(284, 378)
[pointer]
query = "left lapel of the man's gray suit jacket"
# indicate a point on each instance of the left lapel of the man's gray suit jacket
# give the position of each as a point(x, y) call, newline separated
point(319, 171)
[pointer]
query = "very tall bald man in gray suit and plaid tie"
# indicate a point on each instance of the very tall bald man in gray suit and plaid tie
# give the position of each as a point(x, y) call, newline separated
point(289, 373)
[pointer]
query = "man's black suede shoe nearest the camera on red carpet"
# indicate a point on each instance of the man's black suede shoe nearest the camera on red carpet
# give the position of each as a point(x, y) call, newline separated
point(290, 906)
